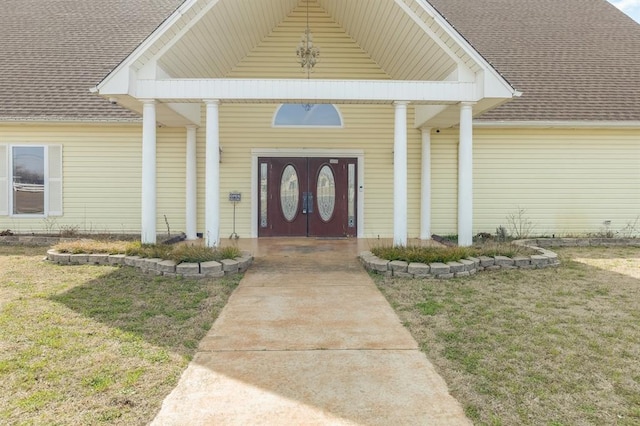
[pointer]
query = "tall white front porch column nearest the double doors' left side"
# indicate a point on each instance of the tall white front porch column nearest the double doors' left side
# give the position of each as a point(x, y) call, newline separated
point(212, 175)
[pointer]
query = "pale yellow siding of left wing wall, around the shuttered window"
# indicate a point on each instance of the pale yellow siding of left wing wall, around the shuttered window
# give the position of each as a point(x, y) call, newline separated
point(101, 177)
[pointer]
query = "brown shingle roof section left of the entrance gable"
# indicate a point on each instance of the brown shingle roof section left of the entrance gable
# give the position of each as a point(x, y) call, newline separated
point(54, 51)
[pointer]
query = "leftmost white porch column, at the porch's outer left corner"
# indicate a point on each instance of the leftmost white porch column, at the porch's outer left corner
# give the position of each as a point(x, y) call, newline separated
point(148, 207)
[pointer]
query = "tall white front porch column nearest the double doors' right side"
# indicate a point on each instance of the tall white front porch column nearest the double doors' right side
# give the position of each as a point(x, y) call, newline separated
point(400, 197)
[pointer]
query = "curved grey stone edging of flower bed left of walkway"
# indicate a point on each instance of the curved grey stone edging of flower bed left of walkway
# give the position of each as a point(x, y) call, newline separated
point(158, 267)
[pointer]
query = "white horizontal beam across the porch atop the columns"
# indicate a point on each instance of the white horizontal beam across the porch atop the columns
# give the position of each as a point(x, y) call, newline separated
point(313, 91)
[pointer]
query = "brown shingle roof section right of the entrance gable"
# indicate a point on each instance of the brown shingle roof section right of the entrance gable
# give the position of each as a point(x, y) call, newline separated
point(572, 59)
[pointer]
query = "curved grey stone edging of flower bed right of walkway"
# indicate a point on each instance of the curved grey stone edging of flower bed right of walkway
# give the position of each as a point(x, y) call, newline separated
point(462, 268)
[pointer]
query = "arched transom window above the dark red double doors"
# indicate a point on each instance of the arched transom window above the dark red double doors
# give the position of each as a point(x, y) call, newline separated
point(311, 115)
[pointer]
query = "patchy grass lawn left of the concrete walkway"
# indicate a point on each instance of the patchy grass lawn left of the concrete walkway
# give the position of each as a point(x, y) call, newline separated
point(95, 344)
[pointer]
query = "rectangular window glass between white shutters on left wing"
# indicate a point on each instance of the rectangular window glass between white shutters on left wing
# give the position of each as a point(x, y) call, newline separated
point(28, 180)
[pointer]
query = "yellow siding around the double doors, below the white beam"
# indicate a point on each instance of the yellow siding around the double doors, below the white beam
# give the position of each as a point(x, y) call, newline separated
point(367, 128)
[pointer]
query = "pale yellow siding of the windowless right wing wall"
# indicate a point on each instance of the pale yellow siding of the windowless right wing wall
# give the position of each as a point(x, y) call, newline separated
point(568, 181)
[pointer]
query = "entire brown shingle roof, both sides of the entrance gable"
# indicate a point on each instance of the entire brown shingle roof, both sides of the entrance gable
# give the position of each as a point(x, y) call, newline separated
point(573, 59)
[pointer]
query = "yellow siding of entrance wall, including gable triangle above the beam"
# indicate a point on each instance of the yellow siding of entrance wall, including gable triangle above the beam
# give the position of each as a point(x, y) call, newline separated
point(367, 127)
